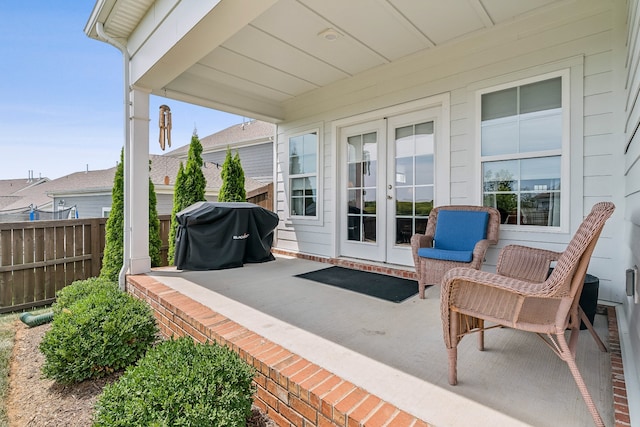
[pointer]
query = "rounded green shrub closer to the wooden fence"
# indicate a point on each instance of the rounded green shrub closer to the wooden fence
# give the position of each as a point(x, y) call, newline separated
point(98, 334)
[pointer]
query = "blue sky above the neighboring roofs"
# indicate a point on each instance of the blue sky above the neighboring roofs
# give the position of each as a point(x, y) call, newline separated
point(62, 99)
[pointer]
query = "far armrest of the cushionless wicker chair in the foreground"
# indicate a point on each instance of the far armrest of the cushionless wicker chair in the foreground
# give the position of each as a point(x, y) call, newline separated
point(522, 262)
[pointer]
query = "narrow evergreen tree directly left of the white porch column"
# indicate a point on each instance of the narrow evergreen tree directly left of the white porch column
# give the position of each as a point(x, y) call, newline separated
point(114, 229)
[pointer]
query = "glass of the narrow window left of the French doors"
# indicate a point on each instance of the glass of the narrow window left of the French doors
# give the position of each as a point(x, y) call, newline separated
point(303, 166)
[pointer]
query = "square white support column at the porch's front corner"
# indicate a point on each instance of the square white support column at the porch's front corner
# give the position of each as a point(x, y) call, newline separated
point(138, 185)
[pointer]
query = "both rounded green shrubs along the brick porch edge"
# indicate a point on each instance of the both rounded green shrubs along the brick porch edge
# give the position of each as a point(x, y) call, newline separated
point(97, 329)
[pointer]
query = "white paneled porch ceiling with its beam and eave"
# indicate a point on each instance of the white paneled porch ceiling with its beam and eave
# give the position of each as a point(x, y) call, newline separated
point(250, 57)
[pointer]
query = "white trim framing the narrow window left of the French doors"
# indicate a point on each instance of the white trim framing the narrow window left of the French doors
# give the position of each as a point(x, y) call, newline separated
point(302, 219)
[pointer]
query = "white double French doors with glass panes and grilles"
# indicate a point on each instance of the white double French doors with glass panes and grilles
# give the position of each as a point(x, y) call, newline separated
point(387, 185)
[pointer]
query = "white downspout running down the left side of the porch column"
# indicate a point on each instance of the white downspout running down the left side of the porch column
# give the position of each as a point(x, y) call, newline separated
point(127, 143)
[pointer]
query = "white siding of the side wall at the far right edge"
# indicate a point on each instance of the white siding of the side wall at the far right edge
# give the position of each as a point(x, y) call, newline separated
point(632, 181)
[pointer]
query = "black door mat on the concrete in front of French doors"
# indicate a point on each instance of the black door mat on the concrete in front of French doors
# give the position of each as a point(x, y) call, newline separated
point(389, 288)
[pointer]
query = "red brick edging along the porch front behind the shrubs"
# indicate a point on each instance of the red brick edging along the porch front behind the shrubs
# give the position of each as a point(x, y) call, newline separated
point(291, 390)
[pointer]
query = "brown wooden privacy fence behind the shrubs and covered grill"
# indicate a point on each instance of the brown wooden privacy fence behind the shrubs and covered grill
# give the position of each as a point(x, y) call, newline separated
point(38, 258)
